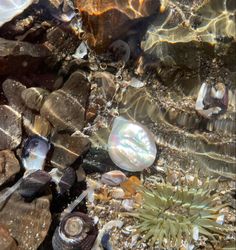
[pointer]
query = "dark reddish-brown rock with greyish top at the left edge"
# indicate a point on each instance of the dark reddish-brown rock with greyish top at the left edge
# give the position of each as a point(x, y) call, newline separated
point(20, 57)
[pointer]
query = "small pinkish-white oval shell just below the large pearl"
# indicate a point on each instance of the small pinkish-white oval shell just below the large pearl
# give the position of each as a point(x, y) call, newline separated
point(113, 178)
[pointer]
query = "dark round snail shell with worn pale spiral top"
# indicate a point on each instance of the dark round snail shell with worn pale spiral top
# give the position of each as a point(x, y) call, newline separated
point(76, 231)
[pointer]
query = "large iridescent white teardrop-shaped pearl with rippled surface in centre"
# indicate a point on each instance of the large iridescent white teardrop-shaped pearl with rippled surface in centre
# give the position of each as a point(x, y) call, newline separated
point(131, 145)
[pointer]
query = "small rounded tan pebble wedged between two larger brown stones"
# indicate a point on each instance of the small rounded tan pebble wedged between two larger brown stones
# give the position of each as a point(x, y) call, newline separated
point(34, 97)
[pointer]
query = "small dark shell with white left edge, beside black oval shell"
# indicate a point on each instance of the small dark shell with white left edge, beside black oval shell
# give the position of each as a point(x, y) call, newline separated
point(63, 178)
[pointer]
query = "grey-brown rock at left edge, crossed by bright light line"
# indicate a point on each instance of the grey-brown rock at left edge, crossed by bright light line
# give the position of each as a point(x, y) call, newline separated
point(10, 128)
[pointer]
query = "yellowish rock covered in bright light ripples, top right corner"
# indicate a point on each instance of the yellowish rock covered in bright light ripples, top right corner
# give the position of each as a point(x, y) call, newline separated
point(208, 22)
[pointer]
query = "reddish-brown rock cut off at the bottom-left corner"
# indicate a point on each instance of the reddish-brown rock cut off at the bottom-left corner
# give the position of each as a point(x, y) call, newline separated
point(6, 241)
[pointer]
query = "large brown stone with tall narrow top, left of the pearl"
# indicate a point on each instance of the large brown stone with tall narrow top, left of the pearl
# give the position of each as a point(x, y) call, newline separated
point(65, 108)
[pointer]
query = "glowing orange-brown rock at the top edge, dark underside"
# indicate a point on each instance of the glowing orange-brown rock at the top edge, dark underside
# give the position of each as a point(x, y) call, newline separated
point(105, 21)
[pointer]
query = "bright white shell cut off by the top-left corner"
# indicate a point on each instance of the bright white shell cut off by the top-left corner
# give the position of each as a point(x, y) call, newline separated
point(11, 8)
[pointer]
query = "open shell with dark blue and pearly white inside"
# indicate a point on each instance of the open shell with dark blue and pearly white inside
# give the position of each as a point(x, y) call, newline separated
point(34, 153)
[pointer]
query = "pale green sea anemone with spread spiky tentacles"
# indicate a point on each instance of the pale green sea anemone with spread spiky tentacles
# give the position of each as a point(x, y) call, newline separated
point(172, 213)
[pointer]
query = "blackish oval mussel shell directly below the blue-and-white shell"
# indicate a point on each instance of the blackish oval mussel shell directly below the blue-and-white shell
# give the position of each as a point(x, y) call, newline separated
point(34, 184)
